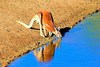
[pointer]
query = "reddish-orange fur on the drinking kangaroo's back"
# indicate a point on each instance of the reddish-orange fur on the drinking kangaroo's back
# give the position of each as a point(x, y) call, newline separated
point(47, 21)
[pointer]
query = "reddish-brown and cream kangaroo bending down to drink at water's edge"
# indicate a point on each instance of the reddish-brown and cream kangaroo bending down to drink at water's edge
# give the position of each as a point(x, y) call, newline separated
point(45, 20)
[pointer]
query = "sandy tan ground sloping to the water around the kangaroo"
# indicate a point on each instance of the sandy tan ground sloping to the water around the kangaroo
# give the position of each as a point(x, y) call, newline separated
point(16, 40)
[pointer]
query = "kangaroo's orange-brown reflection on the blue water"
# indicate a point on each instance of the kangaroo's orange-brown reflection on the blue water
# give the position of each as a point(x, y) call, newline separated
point(46, 53)
